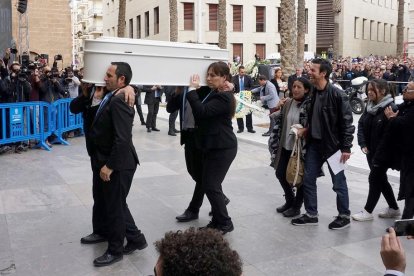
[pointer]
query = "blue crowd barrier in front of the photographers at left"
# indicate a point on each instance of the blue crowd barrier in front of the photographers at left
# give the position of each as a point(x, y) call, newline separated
point(26, 121)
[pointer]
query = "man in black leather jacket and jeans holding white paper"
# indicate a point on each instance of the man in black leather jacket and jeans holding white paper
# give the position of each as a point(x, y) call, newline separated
point(329, 130)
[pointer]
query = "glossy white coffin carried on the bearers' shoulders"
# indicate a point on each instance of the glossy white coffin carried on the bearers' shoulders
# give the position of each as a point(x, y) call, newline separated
point(152, 62)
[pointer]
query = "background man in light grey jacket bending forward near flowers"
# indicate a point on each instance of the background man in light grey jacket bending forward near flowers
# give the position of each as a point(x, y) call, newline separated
point(269, 98)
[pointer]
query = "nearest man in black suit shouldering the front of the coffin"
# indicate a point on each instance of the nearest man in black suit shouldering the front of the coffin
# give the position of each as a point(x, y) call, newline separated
point(114, 162)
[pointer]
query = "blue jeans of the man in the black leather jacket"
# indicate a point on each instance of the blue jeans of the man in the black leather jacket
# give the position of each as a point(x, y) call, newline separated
point(313, 164)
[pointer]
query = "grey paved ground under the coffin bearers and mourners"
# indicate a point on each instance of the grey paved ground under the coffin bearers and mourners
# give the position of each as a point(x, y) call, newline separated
point(46, 202)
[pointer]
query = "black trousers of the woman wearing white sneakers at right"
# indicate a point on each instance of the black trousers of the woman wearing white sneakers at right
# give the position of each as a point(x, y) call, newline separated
point(378, 183)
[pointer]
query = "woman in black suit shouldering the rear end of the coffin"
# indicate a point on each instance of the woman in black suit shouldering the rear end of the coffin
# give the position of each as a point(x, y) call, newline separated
point(213, 112)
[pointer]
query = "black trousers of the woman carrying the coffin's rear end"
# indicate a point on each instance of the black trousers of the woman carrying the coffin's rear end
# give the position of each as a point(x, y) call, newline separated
point(215, 164)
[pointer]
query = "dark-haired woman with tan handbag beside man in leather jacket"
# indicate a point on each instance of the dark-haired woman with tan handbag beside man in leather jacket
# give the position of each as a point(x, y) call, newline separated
point(281, 142)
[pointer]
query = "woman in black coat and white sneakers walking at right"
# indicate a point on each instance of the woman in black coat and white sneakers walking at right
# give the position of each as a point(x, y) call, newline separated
point(371, 134)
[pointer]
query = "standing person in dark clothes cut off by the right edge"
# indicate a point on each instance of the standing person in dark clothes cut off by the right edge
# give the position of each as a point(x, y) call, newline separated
point(401, 127)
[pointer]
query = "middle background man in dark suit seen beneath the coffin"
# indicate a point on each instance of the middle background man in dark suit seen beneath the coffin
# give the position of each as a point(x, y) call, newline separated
point(152, 99)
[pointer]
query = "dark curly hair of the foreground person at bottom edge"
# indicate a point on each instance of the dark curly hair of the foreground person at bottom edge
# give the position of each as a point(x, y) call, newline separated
point(197, 252)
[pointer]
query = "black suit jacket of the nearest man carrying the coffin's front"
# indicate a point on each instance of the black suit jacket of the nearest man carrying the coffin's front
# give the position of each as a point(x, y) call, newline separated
point(111, 136)
